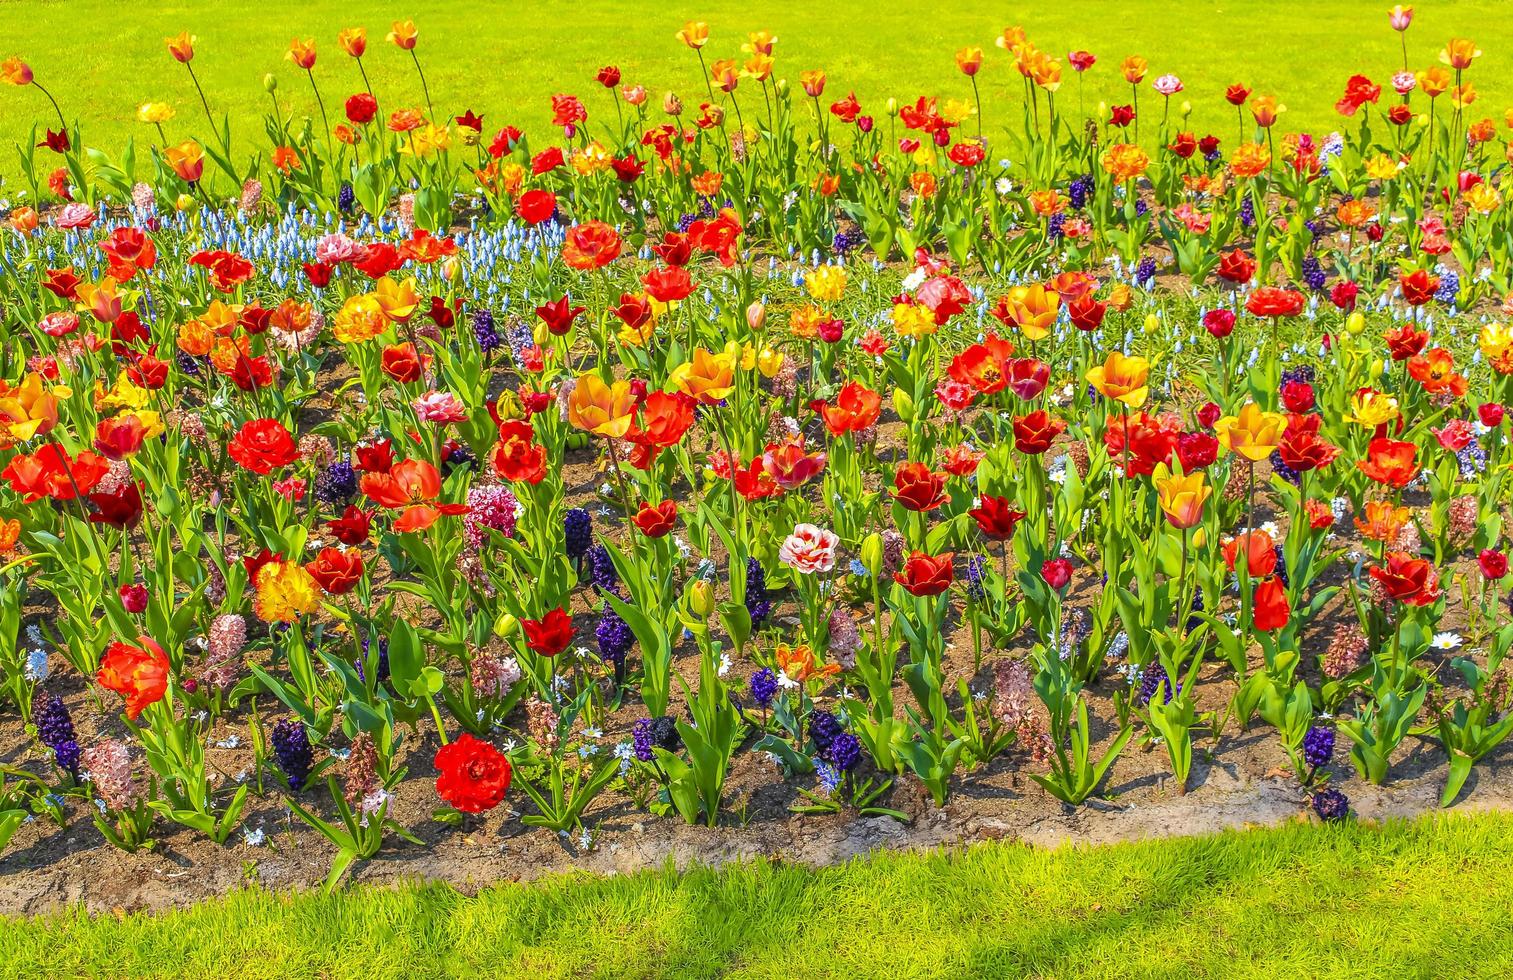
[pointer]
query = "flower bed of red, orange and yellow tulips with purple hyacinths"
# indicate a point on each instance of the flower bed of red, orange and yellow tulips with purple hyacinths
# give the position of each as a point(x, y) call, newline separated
point(800, 476)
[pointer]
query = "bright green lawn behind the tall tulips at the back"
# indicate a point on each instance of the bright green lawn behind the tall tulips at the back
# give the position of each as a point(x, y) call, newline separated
point(506, 61)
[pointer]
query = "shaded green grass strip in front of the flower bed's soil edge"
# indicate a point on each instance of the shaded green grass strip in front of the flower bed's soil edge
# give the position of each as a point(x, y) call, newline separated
point(1406, 901)
